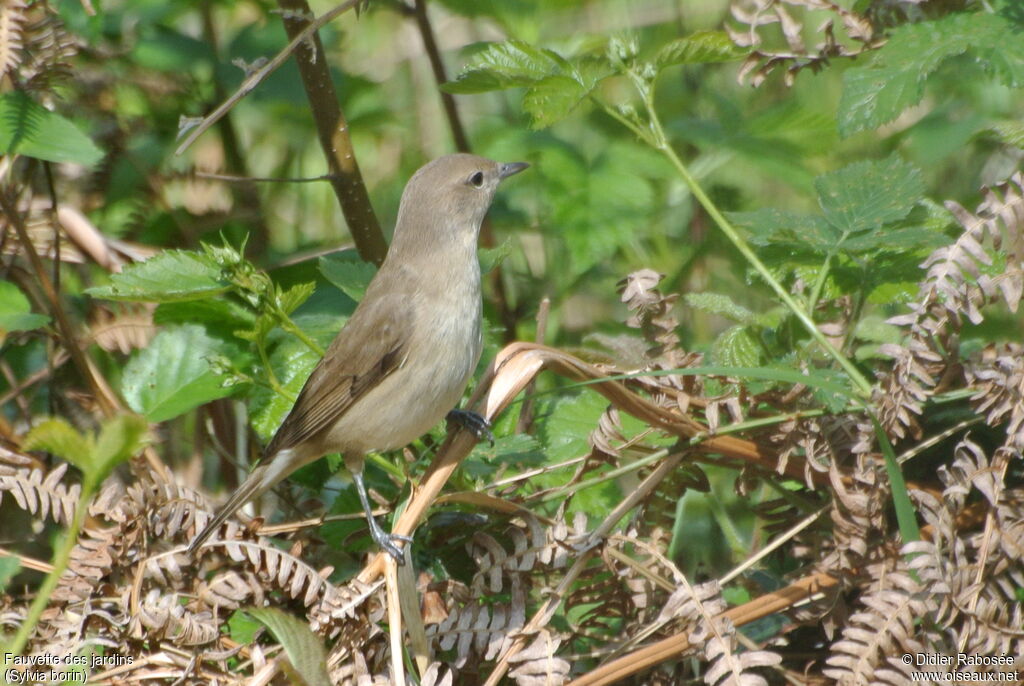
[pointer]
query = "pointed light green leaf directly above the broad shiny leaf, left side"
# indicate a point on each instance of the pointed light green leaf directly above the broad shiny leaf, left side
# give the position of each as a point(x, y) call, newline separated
point(169, 277)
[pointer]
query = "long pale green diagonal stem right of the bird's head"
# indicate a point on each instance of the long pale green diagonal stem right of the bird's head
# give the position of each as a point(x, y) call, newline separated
point(658, 140)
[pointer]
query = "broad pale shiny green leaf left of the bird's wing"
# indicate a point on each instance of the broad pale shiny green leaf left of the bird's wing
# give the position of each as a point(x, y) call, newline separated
point(173, 375)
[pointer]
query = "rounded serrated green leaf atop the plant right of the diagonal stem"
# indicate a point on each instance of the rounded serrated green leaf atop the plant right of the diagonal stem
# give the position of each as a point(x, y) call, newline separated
point(867, 195)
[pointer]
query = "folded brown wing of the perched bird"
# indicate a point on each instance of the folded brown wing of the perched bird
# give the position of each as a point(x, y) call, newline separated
point(372, 346)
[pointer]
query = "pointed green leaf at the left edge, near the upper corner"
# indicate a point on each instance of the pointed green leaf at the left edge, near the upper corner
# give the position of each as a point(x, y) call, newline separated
point(30, 130)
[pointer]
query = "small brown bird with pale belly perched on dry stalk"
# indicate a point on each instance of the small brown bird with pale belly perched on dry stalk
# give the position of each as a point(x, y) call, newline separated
point(405, 357)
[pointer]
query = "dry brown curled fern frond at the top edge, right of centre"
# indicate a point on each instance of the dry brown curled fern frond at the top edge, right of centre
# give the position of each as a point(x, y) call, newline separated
point(755, 16)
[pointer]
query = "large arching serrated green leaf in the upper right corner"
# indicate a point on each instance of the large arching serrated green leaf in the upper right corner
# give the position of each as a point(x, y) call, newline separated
point(894, 81)
